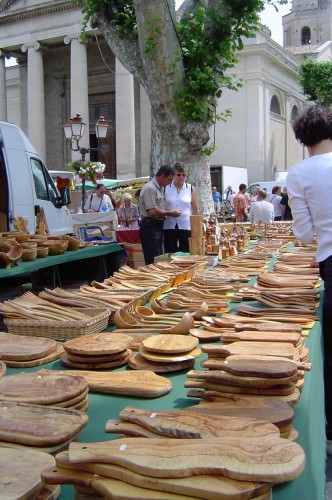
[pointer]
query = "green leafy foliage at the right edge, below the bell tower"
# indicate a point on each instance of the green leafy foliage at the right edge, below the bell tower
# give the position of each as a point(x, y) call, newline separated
point(316, 81)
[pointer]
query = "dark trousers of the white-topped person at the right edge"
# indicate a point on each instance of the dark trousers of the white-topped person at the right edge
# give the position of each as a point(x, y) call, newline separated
point(325, 268)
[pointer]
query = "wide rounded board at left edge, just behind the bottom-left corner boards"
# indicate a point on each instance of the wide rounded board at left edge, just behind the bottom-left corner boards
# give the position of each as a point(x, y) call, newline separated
point(38, 426)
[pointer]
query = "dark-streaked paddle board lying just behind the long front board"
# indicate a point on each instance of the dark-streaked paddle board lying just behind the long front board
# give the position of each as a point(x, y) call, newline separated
point(184, 424)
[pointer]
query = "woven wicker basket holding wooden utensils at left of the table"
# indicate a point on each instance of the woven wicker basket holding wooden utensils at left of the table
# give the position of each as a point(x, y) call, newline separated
point(97, 321)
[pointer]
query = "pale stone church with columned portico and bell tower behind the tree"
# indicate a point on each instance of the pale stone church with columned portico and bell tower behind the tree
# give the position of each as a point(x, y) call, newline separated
point(58, 77)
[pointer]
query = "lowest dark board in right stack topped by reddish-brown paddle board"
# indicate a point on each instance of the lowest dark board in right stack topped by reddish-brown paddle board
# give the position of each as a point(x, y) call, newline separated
point(220, 396)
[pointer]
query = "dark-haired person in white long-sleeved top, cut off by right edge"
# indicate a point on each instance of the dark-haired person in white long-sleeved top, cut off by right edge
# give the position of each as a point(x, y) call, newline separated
point(309, 186)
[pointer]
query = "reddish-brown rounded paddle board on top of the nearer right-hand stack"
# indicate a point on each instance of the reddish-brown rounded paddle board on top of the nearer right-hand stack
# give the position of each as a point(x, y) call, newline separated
point(253, 367)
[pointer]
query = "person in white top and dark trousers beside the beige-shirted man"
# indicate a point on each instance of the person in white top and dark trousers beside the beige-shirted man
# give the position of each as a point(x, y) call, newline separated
point(182, 196)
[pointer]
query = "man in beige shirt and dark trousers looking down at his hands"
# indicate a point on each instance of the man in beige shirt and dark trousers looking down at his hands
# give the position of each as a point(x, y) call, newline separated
point(153, 213)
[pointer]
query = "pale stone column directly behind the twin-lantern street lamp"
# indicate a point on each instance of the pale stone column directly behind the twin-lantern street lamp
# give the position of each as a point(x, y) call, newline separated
point(79, 93)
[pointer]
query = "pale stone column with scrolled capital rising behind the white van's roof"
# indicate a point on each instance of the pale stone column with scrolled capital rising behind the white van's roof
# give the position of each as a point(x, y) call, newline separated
point(36, 100)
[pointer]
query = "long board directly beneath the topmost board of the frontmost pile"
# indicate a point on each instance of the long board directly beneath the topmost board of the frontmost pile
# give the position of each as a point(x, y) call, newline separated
point(205, 487)
